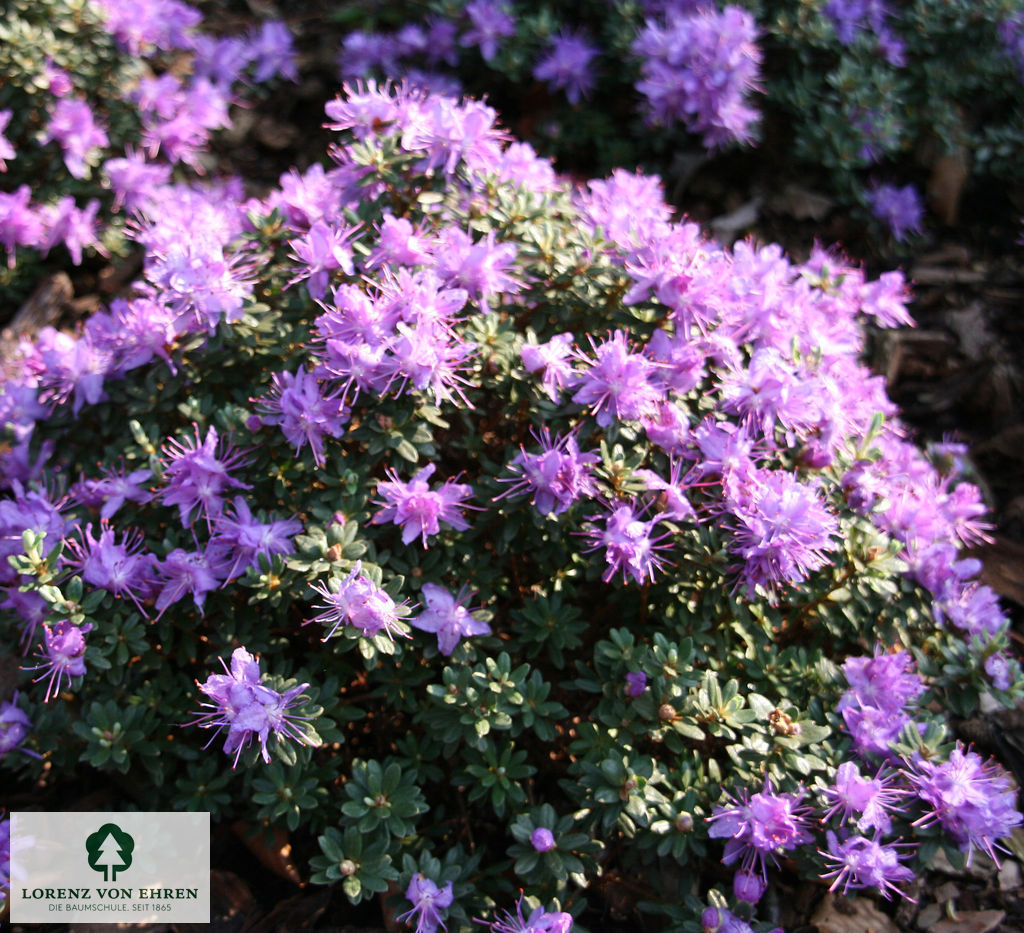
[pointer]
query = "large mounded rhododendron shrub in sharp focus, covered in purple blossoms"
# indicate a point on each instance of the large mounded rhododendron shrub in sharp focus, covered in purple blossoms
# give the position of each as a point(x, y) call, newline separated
point(484, 533)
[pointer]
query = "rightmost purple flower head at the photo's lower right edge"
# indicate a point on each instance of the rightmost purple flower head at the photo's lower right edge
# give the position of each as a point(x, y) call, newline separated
point(970, 798)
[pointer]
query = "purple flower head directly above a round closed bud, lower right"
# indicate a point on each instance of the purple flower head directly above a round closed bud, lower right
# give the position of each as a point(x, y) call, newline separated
point(758, 827)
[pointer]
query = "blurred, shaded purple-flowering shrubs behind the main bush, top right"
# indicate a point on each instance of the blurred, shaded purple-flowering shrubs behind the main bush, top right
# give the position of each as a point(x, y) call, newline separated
point(858, 94)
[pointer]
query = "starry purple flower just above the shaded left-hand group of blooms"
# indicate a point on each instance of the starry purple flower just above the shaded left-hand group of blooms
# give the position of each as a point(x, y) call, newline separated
point(198, 475)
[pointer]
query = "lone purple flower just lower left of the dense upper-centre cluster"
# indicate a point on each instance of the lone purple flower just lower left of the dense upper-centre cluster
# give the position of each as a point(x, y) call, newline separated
point(307, 414)
